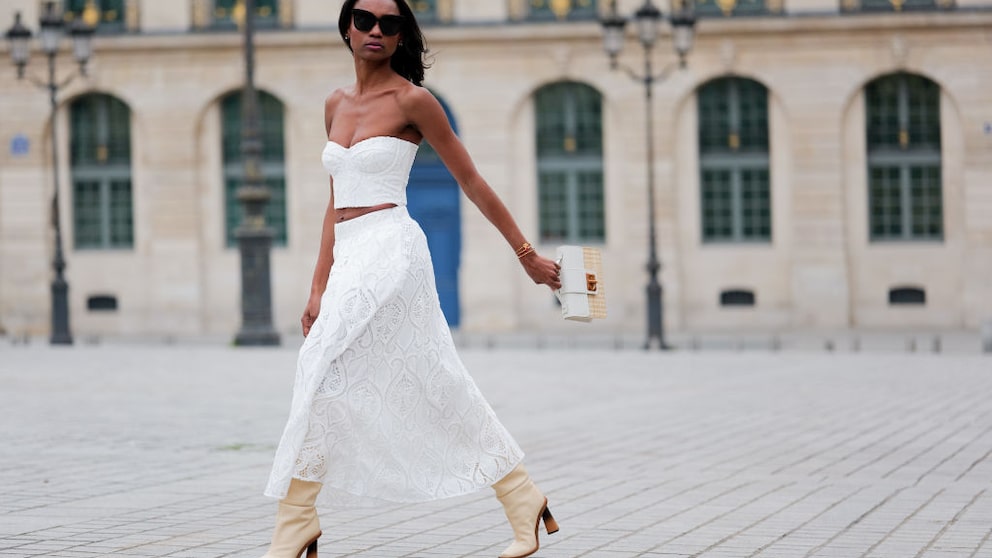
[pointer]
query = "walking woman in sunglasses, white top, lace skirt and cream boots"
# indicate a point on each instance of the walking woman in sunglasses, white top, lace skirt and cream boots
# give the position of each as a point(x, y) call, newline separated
point(383, 409)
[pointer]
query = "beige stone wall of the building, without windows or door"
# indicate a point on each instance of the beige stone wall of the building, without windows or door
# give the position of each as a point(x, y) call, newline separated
point(819, 271)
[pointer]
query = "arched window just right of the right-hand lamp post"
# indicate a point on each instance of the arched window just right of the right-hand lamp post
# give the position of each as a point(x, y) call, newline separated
point(734, 161)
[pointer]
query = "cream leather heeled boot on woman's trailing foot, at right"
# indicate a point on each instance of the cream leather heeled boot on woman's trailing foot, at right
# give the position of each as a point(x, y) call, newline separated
point(525, 507)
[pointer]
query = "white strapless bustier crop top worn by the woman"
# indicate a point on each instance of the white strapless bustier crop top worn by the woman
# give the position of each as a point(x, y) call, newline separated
point(371, 172)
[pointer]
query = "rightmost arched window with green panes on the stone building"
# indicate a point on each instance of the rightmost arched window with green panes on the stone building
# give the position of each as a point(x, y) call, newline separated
point(902, 117)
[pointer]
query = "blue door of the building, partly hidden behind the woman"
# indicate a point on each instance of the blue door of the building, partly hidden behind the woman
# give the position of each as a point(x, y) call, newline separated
point(433, 199)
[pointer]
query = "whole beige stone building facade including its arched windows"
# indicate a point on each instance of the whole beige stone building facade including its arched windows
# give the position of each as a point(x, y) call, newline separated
point(819, 164)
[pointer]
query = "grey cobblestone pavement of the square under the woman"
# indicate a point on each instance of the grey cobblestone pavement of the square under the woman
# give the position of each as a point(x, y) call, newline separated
point(163, 451)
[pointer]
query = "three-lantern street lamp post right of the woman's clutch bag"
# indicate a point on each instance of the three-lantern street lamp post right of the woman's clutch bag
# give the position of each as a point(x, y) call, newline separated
point(648, 20)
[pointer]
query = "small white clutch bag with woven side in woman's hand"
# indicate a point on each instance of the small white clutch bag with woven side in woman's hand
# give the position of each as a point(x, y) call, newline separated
point(581, 294)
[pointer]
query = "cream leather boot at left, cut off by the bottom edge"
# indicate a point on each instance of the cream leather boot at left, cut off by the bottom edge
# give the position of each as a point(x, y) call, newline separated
point(297, 527)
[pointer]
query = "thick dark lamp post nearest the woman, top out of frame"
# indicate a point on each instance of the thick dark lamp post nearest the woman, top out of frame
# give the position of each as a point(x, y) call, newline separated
point(254, 236)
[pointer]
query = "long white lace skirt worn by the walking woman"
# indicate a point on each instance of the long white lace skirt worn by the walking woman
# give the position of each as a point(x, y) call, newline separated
point(383, 409)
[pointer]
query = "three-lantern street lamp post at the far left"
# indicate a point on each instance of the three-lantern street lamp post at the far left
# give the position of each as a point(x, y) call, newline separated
point(52, 29)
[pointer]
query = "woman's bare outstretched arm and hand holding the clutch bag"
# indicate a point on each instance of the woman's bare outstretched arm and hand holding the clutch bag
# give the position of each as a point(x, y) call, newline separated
point(427, 115)
